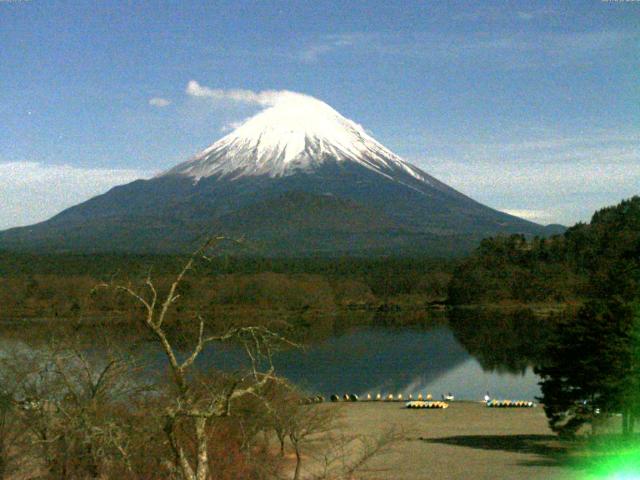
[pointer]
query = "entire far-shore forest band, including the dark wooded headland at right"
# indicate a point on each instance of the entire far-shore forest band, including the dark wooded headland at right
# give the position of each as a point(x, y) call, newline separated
point(503, 271)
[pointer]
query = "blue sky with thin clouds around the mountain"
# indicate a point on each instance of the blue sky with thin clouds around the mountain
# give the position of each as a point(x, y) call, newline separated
point(530, 107)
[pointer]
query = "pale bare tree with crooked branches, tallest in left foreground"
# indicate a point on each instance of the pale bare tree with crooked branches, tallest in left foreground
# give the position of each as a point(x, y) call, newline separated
point(193, 403)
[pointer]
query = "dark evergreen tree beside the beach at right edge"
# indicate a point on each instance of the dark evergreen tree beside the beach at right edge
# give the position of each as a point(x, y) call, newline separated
point(592, 367)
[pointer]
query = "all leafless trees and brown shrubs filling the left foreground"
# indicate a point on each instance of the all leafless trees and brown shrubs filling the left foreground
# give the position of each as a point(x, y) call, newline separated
point(86, 408)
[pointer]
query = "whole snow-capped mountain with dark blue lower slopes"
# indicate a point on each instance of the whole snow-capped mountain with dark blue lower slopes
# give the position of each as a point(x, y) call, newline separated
point(298, 178)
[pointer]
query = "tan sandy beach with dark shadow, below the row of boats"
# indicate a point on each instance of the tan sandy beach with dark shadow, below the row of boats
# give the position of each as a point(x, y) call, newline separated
point(465, 441)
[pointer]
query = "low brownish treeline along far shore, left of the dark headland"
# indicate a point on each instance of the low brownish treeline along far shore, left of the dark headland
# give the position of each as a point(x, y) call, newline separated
point(60, 286)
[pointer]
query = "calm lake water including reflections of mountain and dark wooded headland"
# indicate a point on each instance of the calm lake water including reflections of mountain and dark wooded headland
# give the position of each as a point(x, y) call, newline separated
point(468, 355)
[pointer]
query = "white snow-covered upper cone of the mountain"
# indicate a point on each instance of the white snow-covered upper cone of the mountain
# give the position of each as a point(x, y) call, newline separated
point(296, 133)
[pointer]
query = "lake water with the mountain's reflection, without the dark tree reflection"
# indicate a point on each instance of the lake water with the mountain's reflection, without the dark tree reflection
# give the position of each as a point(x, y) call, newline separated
point(380, 360)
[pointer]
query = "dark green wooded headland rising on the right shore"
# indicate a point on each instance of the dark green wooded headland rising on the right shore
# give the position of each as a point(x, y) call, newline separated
point(563, 268)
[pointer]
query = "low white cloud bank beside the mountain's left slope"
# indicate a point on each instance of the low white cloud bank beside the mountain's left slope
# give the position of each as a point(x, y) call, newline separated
point(33, 192)
